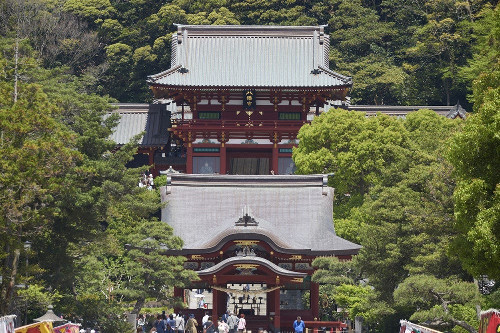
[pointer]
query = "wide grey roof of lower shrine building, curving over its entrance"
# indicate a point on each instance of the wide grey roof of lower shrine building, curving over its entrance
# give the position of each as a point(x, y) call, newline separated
point(294, 212)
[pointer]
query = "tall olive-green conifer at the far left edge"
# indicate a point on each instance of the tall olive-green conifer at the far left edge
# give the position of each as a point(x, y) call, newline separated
point(37, 151)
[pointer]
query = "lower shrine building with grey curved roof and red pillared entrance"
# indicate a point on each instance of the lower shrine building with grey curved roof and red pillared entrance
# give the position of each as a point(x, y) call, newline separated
point(251, 240)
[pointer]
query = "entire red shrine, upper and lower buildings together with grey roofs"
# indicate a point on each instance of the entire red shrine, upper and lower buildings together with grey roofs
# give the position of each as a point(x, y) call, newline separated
point(250, 229)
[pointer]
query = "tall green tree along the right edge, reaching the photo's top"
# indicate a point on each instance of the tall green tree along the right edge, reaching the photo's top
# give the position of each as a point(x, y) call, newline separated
point(475, 154)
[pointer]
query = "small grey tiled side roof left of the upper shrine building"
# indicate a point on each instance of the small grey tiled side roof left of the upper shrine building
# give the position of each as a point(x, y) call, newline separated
point(138, 118)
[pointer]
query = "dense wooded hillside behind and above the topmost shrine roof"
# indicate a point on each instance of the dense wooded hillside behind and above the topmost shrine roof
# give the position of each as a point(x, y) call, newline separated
point(398, 52)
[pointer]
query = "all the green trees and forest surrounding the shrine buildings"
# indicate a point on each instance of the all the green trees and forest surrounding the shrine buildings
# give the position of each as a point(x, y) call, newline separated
point(421, 195)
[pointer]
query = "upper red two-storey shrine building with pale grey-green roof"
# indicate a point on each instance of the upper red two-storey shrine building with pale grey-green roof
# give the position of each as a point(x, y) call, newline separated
point(243, 92)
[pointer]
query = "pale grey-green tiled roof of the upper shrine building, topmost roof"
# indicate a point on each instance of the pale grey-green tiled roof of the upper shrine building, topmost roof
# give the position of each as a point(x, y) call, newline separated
point(250, 56)
